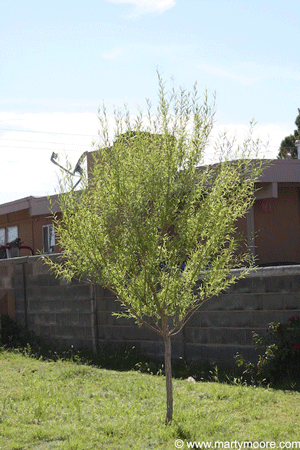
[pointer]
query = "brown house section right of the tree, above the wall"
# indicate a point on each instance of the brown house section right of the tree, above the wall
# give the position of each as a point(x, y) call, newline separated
point(272, 226)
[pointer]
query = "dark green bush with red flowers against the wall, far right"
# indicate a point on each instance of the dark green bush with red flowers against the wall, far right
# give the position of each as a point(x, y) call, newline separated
point(279, 355)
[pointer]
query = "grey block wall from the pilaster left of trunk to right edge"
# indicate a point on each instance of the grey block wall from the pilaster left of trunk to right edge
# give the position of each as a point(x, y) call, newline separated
point(222, 326)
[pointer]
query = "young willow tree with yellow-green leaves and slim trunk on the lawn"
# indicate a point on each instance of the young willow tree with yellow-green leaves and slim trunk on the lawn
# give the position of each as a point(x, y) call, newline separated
point(153, 226)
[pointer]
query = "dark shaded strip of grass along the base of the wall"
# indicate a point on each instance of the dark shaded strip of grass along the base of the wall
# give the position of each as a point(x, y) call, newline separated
point(126, 358)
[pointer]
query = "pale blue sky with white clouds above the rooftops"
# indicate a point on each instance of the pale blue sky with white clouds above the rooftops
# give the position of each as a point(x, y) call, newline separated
point(60, 60)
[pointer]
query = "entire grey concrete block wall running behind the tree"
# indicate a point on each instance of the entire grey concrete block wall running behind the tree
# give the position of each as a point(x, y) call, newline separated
point(80, 315)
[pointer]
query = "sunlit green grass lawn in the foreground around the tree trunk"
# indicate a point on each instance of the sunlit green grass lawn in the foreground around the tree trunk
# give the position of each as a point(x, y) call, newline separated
point(64, 405)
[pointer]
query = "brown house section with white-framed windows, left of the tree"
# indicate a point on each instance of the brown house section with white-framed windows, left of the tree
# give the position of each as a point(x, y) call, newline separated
point(29, 221)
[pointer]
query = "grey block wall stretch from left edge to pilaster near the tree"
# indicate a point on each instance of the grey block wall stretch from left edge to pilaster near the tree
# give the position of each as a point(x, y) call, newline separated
point(47, 306)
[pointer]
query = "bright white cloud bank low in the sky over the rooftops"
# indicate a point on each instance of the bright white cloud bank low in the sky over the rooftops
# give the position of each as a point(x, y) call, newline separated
point(25, 155)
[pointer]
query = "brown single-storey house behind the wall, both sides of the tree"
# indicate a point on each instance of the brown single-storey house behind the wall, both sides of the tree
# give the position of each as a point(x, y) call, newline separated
point(271, 227)
